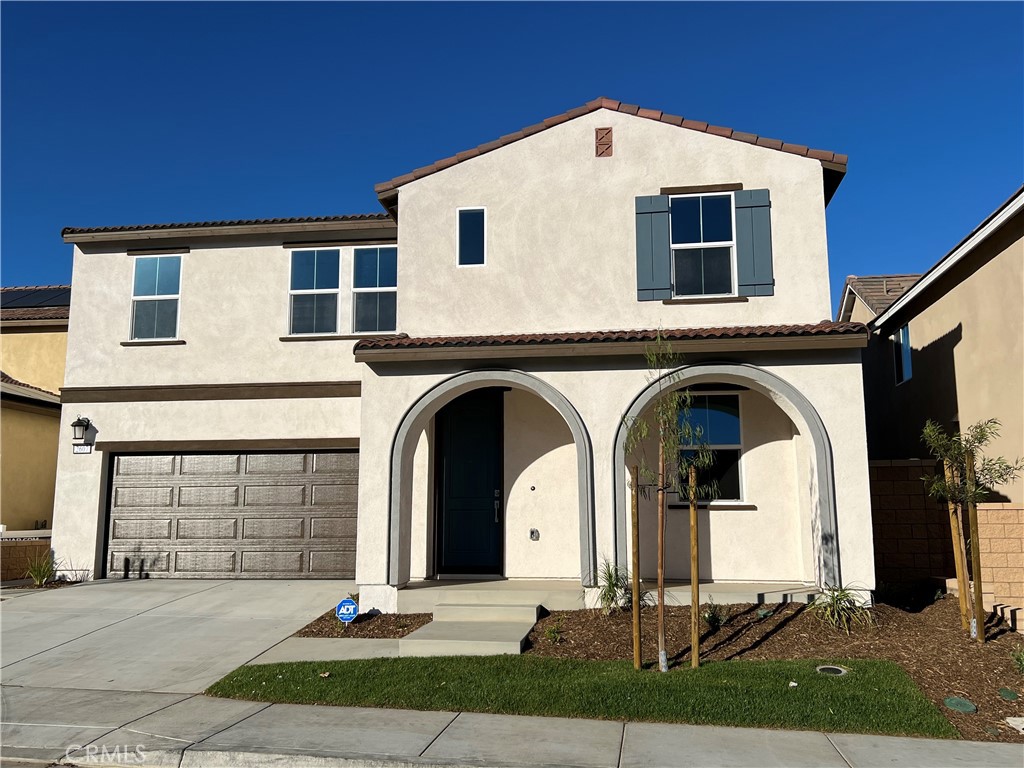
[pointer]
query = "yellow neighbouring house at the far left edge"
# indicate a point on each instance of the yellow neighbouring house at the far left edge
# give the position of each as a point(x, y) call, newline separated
point(34, 328)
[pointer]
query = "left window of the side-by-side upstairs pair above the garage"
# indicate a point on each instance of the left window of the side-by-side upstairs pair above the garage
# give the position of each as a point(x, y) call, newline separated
point(314, 292)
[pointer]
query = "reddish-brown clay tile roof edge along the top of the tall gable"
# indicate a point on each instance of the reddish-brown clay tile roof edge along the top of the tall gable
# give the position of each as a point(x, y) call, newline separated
point(838, 162)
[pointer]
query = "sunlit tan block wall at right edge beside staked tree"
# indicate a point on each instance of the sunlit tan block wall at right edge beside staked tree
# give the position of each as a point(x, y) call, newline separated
point(1001, 542)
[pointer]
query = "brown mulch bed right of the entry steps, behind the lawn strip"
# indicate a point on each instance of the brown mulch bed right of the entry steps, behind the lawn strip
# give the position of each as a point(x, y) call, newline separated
point(929, 645)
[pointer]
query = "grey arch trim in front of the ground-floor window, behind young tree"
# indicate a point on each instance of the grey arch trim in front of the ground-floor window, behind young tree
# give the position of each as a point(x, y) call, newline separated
point(793, 403)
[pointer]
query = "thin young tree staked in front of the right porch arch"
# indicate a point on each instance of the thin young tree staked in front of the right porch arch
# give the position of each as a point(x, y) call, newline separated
point(680, 448)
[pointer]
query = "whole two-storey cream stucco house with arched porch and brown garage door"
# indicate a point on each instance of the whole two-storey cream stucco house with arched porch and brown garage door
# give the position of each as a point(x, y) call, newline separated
point(442, 391)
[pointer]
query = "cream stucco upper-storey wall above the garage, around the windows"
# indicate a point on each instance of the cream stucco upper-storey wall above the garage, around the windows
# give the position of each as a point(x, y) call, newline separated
point(234, 311)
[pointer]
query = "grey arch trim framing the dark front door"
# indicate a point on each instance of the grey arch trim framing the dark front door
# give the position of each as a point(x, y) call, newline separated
point(417, 418)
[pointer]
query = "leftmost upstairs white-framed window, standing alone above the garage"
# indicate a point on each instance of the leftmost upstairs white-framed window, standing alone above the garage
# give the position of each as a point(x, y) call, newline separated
point(156, 295)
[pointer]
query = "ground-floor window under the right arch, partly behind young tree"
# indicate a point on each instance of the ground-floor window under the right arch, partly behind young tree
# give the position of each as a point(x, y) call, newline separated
point(717, 419)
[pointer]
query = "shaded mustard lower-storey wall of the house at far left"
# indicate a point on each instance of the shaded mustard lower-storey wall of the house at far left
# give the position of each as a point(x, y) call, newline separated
point(28, 466)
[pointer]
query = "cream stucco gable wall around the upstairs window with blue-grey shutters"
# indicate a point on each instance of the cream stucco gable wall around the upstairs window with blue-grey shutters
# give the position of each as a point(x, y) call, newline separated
point(562, 243)
